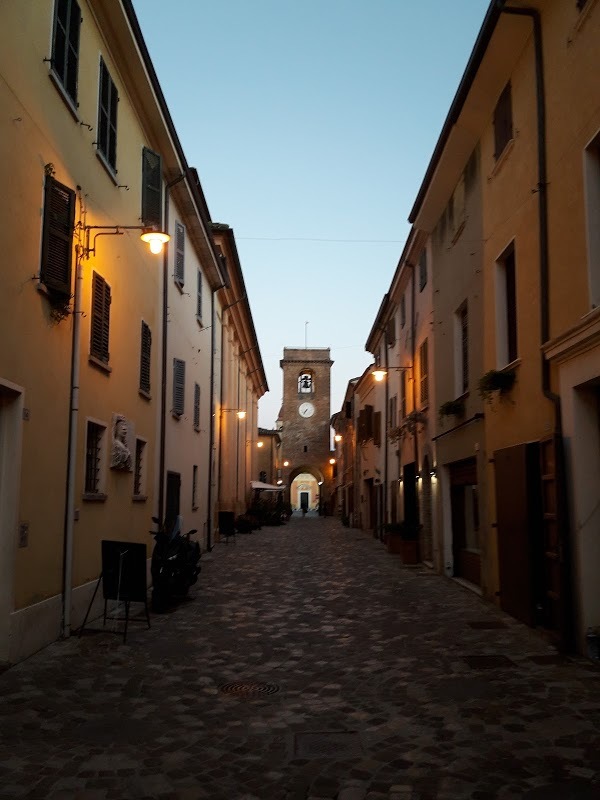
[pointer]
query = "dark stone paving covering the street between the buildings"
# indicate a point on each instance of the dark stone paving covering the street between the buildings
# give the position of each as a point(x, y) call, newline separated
point(309, 664)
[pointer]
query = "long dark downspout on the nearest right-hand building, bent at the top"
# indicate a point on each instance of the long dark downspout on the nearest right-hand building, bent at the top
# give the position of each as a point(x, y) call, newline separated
point(542, 193)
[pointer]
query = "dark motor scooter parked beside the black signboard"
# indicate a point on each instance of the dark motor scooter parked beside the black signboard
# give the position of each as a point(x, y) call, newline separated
point(175, 563)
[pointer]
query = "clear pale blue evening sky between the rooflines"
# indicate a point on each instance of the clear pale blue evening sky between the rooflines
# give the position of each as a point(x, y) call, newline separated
point(311, 124)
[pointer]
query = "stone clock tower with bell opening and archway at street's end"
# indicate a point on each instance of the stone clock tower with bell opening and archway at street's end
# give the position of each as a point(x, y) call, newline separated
point(304, 423)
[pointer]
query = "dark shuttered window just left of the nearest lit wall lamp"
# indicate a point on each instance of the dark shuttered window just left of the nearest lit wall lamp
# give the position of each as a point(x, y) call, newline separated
point(57, 237)
